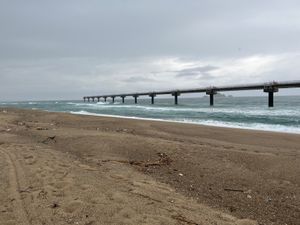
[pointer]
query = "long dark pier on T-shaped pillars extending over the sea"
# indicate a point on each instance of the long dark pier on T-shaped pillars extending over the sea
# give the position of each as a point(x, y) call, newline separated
point(270, 88)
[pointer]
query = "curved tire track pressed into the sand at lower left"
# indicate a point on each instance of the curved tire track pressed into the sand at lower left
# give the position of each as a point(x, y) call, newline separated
point(18, 204)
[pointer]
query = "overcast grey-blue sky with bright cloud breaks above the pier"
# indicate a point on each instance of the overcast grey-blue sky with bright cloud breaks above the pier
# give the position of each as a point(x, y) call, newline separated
point(65, 49)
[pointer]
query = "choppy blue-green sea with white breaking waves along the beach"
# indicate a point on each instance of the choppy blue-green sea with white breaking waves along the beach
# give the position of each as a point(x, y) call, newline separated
point(240, 112)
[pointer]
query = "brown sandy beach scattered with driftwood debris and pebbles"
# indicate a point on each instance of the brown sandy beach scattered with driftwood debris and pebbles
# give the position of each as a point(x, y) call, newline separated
point(66, 169)
